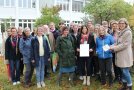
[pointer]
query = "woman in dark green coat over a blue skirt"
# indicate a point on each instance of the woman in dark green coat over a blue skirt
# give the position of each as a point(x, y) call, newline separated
point(66, 52)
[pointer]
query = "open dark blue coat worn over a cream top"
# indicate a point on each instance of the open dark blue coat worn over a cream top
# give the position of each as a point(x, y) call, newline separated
point(35, 50)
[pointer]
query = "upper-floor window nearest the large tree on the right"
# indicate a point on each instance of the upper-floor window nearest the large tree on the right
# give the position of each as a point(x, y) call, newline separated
point(77, 6)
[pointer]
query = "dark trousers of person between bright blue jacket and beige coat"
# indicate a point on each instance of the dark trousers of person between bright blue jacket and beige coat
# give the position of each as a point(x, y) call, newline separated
point(117, 70)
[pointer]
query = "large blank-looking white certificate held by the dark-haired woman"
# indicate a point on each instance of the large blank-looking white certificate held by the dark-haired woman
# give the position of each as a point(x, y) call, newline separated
point(84, 50)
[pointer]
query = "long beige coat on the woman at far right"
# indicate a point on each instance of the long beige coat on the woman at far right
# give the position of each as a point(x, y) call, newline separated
point(123, 49)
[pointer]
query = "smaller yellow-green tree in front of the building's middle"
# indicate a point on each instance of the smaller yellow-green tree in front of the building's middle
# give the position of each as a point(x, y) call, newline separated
point(49, 15)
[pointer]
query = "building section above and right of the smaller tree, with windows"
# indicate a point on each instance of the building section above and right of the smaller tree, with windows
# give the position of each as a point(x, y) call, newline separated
point(71, 10)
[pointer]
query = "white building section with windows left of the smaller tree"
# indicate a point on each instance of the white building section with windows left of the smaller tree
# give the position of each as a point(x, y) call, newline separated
point(19, 12)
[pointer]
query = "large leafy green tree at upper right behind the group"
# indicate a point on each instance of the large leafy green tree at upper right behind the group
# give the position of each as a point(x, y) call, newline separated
point(108, 9)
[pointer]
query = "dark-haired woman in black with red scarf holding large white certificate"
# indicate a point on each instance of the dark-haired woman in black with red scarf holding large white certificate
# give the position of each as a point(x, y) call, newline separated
point(85, 46)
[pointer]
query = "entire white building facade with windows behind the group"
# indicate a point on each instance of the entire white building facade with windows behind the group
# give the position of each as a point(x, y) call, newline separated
point(24, 12)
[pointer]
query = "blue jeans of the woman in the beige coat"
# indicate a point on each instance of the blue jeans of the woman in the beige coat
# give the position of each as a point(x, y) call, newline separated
point(126, 77)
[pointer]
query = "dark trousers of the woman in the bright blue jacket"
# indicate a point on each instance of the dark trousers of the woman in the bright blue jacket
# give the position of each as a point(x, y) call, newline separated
point(106, 66)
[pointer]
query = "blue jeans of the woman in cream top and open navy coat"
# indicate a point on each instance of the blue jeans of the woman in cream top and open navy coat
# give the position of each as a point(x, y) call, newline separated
point(40, 70)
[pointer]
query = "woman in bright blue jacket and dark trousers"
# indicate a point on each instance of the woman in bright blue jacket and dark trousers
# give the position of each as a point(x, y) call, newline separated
point(104, 55)
